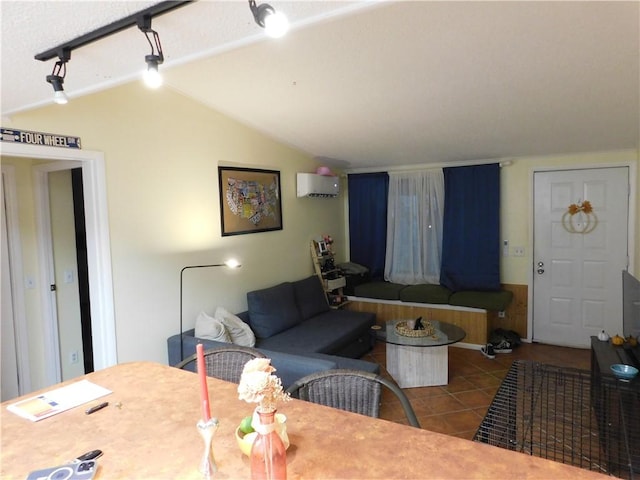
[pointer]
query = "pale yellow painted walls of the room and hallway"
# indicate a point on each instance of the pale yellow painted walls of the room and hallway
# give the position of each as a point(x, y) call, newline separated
point(161, 153)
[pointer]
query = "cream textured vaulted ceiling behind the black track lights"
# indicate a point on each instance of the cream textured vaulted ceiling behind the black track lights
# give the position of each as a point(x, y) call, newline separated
point(366, 84)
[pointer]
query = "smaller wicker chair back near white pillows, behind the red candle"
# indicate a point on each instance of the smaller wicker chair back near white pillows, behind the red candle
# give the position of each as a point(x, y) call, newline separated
point(225, 363)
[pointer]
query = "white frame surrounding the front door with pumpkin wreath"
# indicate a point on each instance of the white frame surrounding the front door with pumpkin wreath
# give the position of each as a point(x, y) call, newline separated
point(631, 220)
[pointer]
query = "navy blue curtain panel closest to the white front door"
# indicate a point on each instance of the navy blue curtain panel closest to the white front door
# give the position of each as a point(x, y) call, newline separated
point(471, 230)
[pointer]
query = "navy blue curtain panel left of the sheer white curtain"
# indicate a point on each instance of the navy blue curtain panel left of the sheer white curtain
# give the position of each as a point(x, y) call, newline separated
point(368, 194)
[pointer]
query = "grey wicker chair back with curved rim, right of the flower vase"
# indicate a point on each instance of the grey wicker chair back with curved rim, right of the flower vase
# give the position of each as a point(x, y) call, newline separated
point(350, 390)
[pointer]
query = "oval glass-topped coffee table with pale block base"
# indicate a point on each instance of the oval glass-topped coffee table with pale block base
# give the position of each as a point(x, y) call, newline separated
point(411, 363)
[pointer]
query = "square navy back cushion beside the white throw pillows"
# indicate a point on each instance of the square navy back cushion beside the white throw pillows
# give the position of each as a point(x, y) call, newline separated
point(272, 310)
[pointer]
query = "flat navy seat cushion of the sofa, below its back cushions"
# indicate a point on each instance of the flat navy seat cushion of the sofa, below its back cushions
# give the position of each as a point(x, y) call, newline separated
point(324, 333)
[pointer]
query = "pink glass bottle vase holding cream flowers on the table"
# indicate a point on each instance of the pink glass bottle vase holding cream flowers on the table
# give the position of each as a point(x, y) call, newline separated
point(259, 385)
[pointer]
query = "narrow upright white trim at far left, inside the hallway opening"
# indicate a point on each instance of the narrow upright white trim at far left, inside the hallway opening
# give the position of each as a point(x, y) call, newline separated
point(14, 245)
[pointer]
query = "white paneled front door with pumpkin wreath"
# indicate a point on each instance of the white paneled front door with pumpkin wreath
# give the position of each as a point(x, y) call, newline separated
point(578, 256)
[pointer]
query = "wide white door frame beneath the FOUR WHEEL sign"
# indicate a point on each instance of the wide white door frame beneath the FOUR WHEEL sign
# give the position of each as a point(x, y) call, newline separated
point(98, 241)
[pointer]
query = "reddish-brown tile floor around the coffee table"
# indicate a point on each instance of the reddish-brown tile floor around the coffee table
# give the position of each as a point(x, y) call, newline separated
point(458, 408)
